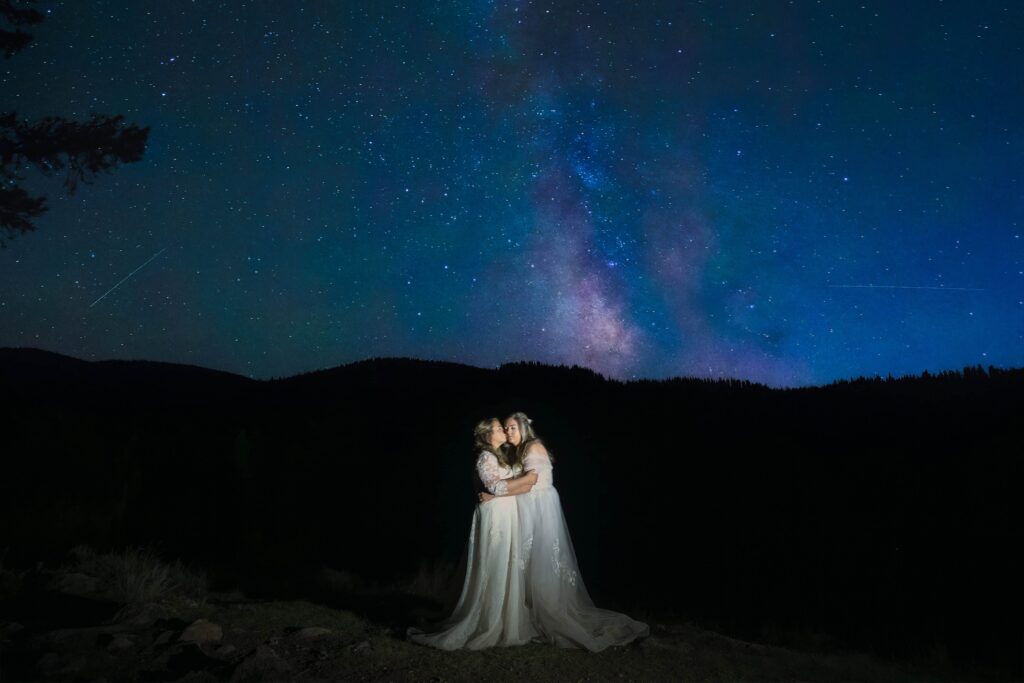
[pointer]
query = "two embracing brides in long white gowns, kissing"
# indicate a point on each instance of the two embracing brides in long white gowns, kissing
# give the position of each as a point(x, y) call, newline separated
point(523, 582)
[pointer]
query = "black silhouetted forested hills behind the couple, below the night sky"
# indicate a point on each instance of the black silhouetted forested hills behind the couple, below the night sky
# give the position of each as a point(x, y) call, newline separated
point(882, 513)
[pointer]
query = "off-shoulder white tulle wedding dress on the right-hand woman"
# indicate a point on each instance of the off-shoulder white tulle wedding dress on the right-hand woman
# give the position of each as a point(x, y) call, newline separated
point(560, 605)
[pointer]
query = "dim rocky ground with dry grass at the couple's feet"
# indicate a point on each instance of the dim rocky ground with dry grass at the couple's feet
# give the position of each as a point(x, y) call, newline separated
point(72, 631)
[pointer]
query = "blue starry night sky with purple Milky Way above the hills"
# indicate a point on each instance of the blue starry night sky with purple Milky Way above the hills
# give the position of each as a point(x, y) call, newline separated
point(786, 192)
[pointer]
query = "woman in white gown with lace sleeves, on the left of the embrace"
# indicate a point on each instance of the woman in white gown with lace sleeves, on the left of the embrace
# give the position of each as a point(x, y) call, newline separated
point(492, 610)
